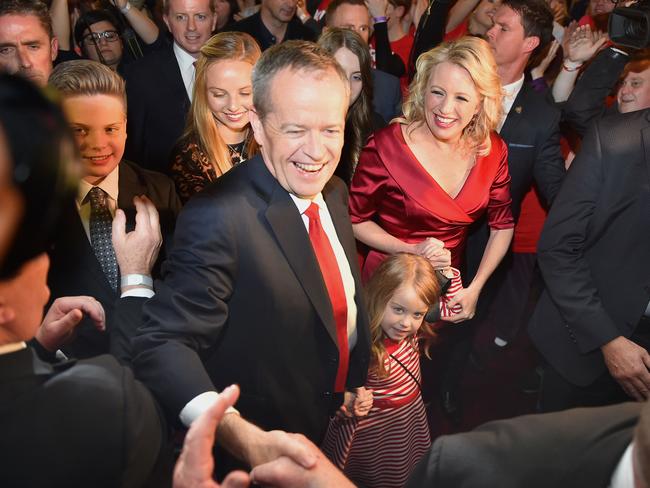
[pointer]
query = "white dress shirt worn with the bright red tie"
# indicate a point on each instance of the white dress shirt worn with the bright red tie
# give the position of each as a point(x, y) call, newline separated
point(199, 404)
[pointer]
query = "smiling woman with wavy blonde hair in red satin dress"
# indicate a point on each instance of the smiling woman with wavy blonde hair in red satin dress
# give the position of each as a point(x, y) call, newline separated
point(422, 181)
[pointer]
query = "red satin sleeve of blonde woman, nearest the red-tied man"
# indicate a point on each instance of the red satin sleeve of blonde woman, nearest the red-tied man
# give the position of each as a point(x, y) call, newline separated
point(368, 184)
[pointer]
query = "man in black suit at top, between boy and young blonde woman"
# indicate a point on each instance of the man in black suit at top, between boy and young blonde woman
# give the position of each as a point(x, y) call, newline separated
point(159, 86)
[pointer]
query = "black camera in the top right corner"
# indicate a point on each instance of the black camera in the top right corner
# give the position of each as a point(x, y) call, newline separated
point(630, 26)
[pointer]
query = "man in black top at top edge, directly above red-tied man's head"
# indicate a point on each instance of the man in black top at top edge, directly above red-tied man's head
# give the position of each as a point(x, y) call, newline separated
point(275, 22)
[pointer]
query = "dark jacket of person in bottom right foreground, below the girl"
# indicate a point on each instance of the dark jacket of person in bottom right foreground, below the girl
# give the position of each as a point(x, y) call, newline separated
point(570, 449)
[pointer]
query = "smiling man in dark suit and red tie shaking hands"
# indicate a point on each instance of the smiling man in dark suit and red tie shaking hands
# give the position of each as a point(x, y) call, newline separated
point(247, 296)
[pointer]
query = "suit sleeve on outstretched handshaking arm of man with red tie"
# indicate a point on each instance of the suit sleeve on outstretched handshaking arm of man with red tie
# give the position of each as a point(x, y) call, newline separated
point(187, 314)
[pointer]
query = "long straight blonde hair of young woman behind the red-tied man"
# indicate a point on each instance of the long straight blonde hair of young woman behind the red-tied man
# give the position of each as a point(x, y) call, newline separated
point(201, 126)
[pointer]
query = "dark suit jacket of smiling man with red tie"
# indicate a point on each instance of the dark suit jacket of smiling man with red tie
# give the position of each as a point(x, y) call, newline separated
point(242, 301)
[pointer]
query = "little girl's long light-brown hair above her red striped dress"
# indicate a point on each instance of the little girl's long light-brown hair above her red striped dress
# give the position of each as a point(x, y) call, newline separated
point(398, 270)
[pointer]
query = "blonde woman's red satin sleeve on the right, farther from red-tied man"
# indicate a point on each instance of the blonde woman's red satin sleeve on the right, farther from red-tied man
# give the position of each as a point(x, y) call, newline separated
point(499, 210)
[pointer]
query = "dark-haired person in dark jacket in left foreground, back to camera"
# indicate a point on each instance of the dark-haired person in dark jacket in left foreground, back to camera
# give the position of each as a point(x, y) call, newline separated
point(78, 424)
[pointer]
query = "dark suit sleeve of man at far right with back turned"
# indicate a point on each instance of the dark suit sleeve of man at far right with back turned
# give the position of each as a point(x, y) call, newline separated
point(561, 250)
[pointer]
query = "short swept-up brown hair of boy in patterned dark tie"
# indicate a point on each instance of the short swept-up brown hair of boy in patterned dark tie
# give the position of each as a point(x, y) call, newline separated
point(85, 77)
